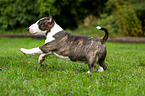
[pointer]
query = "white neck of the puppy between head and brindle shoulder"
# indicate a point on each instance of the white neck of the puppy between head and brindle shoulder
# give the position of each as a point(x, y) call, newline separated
point(55, 29)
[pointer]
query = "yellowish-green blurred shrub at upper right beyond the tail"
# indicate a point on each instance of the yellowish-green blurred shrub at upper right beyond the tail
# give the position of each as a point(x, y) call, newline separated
point(124, 14)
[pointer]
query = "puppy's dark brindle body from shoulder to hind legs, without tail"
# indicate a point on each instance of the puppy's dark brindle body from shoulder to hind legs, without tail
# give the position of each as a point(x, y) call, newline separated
point(78, 48)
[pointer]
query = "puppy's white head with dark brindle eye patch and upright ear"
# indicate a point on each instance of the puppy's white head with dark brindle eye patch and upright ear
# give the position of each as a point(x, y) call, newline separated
point(42, 26)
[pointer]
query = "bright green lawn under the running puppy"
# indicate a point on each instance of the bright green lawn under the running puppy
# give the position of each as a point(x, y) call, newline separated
point(21, 75)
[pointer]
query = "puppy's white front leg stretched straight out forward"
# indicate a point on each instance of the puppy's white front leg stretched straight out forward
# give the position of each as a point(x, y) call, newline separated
point(32, 51)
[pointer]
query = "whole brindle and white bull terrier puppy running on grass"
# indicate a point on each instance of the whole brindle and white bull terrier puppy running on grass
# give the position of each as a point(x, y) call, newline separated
point(67, 46)
